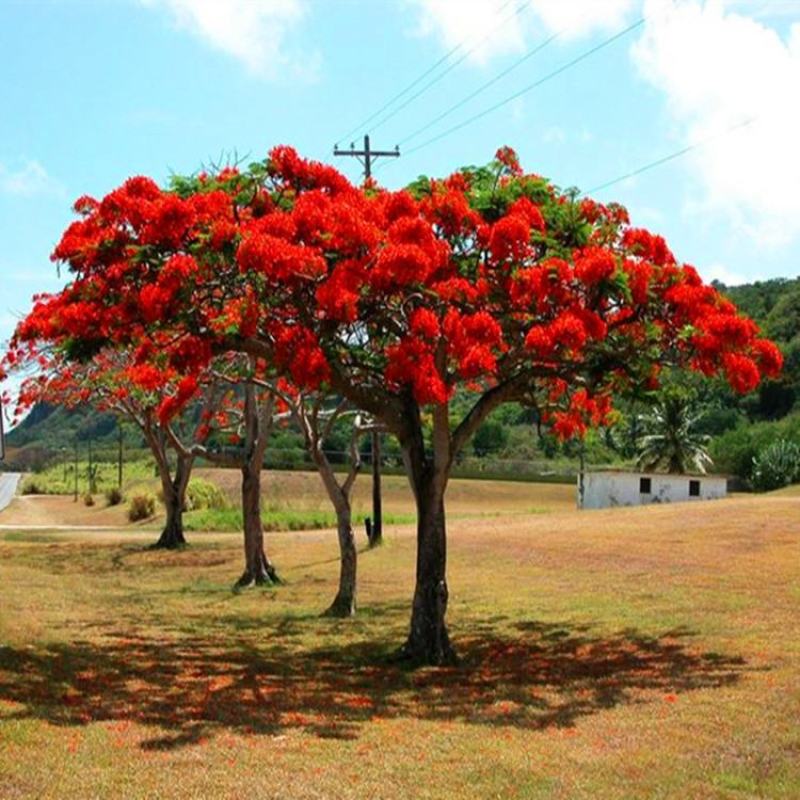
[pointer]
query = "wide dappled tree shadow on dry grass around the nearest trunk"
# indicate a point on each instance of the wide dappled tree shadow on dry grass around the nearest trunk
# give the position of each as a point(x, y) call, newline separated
point(192, 686)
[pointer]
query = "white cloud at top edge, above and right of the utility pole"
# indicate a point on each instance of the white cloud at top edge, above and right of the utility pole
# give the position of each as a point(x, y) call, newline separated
point(488, 28)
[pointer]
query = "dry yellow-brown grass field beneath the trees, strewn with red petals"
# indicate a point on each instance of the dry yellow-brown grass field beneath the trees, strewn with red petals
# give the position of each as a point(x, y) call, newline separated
point(637, 653)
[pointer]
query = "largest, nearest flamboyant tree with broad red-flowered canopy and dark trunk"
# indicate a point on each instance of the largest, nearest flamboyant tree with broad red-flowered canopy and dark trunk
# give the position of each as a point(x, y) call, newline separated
point(491, 280)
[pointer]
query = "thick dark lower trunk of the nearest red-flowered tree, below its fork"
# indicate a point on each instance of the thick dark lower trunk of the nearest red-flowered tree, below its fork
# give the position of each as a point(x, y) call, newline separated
point(428, 641)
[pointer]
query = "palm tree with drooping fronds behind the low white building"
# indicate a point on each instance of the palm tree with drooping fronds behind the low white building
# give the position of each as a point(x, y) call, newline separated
point(671, 440)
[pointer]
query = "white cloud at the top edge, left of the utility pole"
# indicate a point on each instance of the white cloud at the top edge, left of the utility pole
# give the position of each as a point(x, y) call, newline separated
point(252, 31)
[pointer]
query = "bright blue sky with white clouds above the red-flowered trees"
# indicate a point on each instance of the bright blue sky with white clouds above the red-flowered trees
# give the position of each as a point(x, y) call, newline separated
point(97, 90)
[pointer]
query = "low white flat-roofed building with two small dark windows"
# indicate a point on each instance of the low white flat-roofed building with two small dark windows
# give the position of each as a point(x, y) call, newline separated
point(618, 488)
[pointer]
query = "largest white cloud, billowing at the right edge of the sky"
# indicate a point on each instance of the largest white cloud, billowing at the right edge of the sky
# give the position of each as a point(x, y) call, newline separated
point(717, 69)
